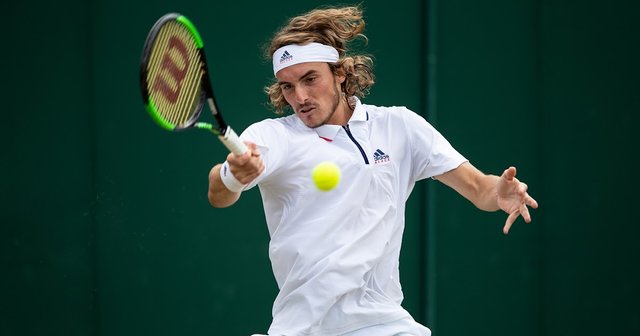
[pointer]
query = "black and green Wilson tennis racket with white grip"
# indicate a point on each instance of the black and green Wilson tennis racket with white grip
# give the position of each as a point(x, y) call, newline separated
point(174, 80)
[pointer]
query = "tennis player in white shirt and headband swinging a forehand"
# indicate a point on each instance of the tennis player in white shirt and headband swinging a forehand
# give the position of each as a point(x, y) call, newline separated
point(335, 254)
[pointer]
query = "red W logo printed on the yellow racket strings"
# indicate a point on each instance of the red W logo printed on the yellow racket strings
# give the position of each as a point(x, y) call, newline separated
point(174, 65)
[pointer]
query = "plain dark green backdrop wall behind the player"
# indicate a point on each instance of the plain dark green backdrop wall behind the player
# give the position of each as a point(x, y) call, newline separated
point(105, 225)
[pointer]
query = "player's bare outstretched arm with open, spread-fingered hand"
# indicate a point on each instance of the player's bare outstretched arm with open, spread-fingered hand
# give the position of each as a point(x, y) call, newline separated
point(490, 192)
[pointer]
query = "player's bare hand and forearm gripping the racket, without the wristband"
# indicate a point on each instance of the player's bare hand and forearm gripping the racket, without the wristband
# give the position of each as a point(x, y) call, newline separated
point(245, 167)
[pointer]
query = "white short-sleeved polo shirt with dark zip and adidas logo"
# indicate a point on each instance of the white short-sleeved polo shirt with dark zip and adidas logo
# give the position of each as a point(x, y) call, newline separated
point(335, 254)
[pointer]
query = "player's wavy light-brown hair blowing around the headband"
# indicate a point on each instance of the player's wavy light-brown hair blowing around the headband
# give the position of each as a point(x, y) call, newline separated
point(335, 27)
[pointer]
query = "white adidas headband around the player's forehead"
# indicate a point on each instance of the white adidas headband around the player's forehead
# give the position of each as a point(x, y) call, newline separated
point(294, 53)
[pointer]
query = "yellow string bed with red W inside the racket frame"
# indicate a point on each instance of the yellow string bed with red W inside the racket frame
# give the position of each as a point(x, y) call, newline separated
point(175, 74)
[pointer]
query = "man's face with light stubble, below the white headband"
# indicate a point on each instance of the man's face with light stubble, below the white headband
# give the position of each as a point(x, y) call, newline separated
point(313, 92)
